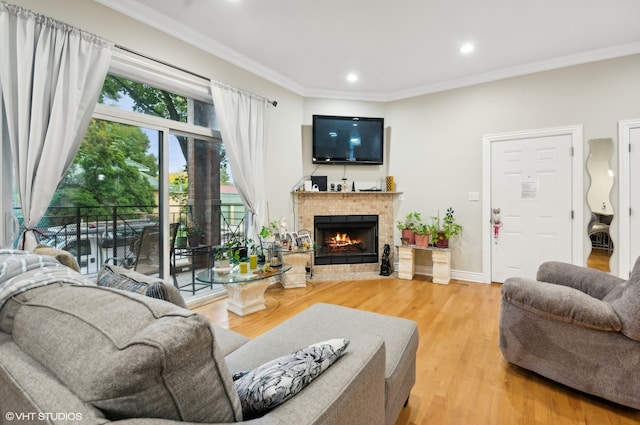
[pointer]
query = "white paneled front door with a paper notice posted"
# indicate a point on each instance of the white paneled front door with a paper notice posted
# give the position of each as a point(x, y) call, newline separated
point(531, 182)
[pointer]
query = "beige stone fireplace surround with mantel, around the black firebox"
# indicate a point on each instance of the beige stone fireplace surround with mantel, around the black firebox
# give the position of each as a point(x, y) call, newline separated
point(310, 204)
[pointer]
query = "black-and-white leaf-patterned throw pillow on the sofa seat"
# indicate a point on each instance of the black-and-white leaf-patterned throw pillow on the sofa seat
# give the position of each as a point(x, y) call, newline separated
point(275, 382)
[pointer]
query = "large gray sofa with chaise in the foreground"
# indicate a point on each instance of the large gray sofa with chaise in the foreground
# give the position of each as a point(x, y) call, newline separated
point(72, 351)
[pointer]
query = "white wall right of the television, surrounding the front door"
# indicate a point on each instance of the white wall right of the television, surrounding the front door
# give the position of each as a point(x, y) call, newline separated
point(439, 136)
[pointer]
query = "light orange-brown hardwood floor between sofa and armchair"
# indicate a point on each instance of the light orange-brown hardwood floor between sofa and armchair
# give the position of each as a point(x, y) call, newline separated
point(461, 375)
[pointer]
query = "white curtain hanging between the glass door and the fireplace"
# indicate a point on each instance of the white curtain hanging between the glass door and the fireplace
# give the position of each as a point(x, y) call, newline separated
point(241, 117)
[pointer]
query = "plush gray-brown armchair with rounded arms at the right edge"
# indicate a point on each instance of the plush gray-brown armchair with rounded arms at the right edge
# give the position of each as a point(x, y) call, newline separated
point(577, 326)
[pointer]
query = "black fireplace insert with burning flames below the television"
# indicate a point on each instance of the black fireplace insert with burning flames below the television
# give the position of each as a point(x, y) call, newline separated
point(346, 239)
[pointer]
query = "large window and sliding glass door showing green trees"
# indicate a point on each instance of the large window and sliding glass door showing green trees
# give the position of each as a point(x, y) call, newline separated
point(151, 155)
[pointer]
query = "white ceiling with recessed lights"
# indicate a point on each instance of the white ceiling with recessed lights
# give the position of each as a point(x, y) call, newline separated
point(398, 48)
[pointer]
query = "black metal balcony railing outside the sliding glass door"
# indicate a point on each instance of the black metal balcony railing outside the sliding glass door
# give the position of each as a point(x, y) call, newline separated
point(94, 236)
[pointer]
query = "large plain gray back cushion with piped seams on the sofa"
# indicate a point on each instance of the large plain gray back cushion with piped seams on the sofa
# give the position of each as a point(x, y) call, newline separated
point(129, 355)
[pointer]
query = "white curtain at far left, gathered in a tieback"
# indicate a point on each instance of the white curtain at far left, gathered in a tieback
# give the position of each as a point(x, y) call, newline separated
point(51, 75)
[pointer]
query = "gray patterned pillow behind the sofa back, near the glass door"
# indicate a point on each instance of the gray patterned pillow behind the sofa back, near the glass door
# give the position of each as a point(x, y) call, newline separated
point(129, 280)
